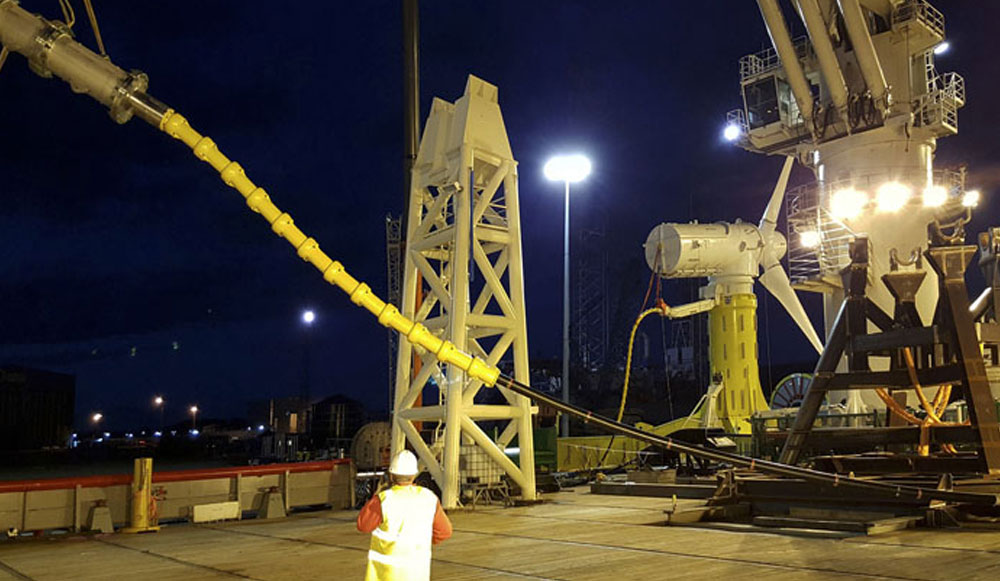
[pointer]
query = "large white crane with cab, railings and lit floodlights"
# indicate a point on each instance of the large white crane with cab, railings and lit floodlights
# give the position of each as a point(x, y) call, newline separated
point(861, 103)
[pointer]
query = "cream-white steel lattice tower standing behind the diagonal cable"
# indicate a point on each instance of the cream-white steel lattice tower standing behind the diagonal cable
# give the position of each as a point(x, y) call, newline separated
point(463, 280)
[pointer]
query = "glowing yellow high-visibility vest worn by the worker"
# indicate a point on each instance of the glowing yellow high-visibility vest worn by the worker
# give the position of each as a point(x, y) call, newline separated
point(400, 549)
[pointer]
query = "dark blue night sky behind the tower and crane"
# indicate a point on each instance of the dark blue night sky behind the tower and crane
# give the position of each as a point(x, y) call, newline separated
point(116, 237)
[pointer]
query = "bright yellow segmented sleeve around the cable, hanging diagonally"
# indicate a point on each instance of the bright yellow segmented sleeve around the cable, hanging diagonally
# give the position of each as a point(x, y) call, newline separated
point(232, 174)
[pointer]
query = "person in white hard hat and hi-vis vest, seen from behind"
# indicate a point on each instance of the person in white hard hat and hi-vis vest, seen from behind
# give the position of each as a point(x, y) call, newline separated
point(404, 521)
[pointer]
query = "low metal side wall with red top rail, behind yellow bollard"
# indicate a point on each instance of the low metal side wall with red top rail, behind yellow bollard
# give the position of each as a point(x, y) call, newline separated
point(65, 503)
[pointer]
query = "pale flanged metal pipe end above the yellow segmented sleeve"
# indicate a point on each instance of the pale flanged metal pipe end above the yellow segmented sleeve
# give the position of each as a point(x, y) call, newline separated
point(51, 51)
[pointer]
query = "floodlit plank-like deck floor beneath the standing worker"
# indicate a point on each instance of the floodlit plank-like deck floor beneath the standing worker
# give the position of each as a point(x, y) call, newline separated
point(573, 535)
